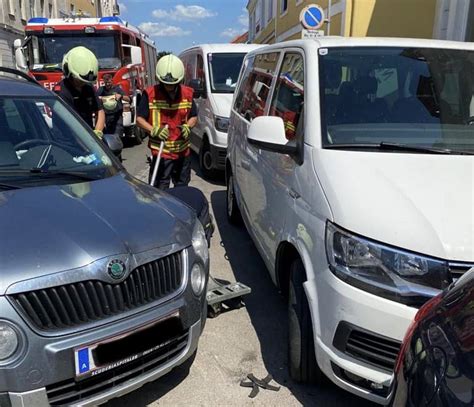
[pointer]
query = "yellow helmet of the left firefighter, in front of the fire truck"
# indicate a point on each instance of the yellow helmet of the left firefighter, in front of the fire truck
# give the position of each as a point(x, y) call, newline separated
point(81, 63)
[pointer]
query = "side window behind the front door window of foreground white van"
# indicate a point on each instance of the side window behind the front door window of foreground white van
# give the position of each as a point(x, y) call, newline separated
point(255, 85)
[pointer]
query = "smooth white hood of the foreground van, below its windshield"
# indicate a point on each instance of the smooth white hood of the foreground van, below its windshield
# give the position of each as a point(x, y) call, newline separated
point(423, 203)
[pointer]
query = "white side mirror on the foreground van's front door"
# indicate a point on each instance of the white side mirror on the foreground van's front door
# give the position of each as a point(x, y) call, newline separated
point(268, 133)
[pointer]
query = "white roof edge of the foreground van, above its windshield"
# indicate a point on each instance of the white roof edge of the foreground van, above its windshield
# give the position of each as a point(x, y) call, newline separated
point(335, 41)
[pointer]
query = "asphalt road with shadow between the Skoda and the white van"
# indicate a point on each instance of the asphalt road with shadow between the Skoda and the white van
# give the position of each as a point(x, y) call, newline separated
point(251, 339)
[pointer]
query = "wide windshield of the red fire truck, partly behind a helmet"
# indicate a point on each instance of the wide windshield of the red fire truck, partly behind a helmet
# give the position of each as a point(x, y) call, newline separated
point(51, 49)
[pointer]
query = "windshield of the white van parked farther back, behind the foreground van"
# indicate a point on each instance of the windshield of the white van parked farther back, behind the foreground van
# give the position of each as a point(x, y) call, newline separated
point(224, 71)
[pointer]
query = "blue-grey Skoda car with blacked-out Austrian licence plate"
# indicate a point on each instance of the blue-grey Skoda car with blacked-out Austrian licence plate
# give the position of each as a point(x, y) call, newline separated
point(103, 277)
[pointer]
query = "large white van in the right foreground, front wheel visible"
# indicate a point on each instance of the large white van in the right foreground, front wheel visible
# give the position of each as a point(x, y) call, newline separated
point(351, 162)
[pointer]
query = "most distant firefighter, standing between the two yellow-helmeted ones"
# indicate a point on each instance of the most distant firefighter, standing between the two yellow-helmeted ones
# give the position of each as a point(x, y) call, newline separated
point(111, 97)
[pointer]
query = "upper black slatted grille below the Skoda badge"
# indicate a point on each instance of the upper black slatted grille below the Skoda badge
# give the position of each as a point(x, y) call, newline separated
point(76, 304)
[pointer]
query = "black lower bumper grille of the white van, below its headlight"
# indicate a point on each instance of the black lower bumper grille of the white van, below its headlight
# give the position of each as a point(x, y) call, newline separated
point(366, 346)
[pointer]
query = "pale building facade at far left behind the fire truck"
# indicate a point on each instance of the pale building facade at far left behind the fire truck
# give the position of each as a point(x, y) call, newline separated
point(15, 13)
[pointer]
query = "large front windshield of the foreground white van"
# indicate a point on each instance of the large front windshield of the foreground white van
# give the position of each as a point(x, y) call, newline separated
point(408, 99)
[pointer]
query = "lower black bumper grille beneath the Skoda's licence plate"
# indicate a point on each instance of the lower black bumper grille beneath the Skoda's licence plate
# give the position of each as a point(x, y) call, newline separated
point(71, 391)
